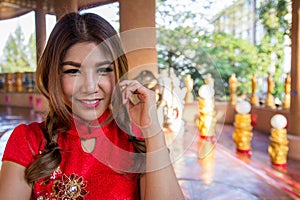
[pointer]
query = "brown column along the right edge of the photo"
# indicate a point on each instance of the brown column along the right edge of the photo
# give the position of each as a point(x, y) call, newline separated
point(293, 125)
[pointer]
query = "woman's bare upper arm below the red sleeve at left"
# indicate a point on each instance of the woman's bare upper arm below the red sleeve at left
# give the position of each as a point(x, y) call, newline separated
point(13, 185)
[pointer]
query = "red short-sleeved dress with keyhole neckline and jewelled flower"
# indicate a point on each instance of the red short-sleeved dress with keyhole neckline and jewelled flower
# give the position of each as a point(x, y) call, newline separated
point(97, 175)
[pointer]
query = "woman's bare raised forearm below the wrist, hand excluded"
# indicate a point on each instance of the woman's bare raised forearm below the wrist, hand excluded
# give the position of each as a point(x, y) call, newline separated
point(160, 181)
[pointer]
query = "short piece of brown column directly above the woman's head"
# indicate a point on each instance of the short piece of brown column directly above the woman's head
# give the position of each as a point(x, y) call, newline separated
point(63, 7)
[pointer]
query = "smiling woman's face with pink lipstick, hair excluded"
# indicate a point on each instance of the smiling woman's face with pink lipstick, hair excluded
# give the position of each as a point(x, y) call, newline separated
point(87, 80)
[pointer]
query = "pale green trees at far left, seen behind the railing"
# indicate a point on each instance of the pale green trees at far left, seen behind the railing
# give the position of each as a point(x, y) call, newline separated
point(18, 56)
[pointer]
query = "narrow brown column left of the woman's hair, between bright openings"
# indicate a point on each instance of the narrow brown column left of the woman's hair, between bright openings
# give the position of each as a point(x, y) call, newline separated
point(40, 27)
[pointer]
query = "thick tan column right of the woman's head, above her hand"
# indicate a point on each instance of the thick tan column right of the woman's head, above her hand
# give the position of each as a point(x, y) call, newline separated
point(137, 26)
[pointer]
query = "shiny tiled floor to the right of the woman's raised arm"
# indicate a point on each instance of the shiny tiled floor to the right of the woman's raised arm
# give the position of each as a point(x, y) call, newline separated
point(223, 174)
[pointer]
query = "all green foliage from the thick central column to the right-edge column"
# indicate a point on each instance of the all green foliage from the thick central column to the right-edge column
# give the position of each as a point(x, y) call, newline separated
point(188, 47)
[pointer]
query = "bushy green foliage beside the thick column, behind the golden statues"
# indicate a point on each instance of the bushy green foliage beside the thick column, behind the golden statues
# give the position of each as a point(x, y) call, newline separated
point(218, 54)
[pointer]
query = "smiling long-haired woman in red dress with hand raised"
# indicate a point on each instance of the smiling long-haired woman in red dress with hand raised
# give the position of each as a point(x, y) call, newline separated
point(88, 146)
